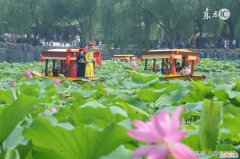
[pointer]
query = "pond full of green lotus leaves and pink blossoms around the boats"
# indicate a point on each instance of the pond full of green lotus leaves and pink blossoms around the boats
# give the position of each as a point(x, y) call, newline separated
point(130, 115)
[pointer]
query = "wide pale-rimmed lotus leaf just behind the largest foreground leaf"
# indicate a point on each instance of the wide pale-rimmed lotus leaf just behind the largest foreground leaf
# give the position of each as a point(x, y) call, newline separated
point(91, 113)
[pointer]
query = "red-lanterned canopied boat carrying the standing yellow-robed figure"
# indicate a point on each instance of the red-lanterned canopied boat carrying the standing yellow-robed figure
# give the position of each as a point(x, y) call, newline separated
point(60, 63)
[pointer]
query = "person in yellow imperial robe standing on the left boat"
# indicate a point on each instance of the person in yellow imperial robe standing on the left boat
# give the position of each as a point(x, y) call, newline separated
point(89, 71)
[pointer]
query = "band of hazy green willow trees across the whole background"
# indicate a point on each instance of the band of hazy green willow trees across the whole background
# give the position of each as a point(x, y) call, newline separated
point(122, 23)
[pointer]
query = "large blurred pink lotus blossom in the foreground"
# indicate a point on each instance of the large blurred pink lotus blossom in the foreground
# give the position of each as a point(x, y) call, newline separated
point(163, 135)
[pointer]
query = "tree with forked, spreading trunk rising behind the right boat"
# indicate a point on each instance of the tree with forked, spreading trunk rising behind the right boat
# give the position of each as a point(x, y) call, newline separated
point(171, 15)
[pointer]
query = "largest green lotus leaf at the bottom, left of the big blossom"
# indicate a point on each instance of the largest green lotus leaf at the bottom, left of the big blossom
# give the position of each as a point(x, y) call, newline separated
point(86, 142)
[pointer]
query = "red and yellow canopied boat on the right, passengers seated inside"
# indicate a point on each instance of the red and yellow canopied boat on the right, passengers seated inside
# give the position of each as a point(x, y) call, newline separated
point(170, 62)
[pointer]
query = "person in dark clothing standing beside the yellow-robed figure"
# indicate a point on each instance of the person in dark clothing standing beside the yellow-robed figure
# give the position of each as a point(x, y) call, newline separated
point(81, 63)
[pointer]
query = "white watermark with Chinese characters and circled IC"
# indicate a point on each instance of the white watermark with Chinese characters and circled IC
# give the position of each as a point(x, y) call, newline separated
point(222, 14)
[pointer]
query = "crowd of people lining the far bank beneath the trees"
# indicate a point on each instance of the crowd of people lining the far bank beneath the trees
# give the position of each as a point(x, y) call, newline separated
point(76, 41)
